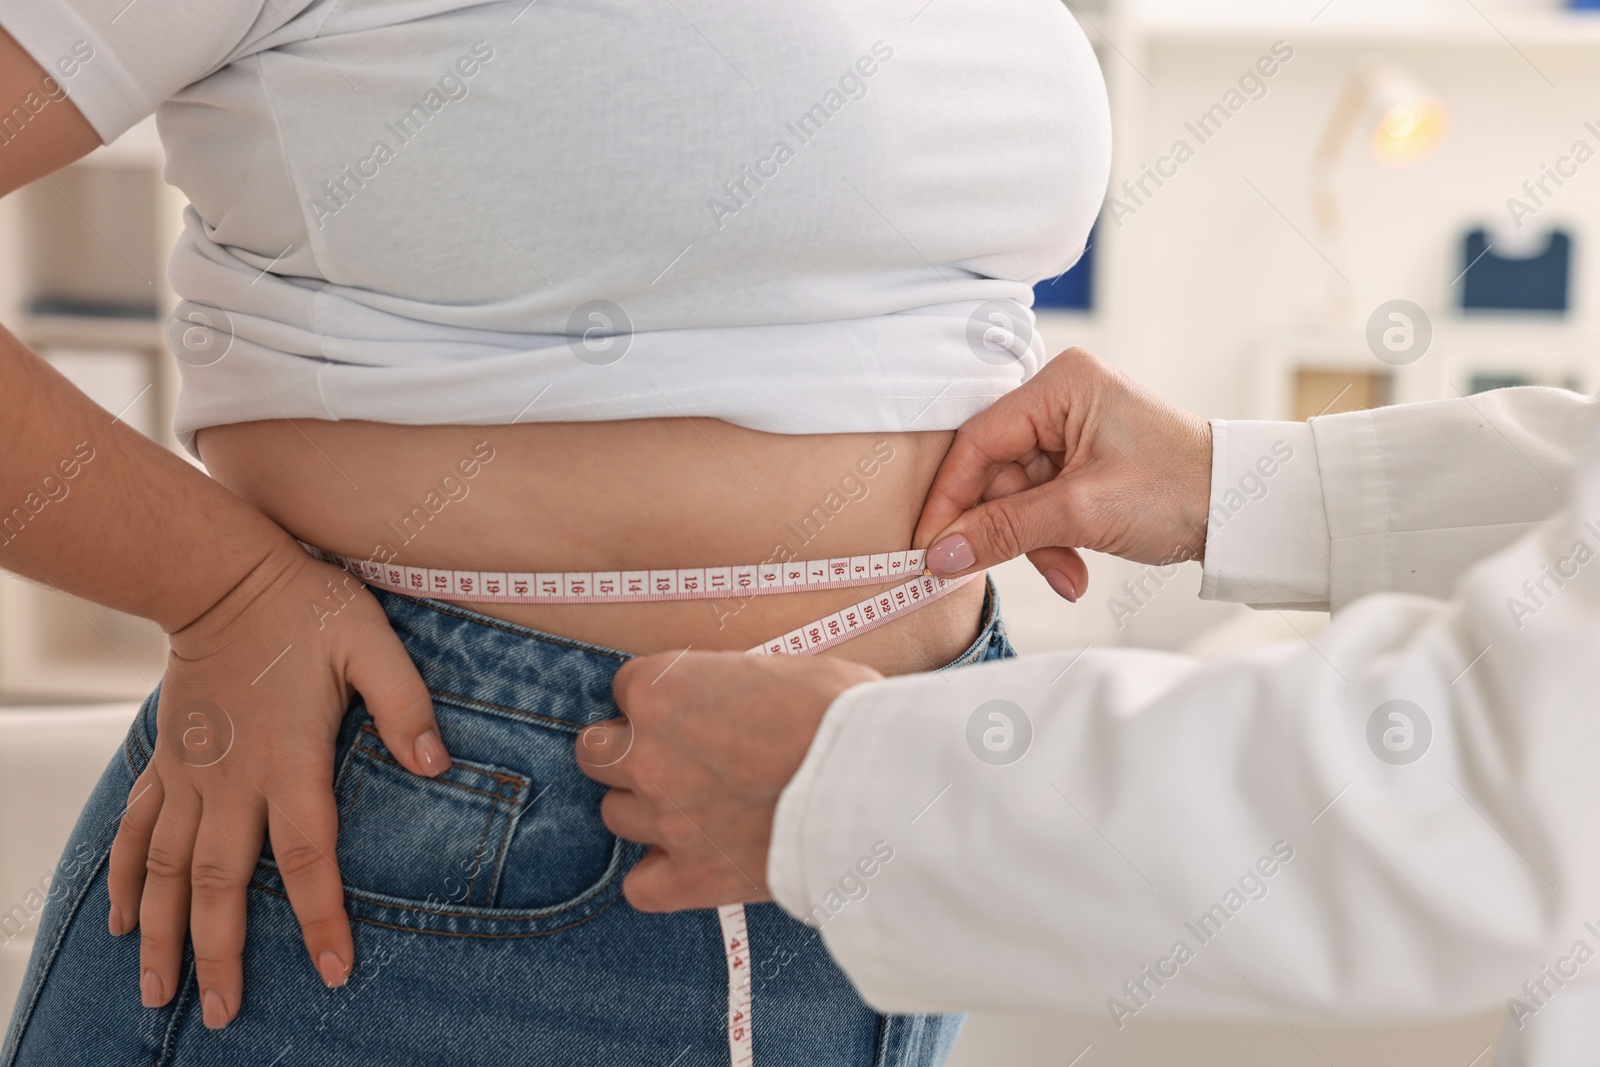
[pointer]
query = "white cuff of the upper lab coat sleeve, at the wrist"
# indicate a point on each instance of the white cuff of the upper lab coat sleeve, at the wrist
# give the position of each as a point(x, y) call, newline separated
point(1268, 530)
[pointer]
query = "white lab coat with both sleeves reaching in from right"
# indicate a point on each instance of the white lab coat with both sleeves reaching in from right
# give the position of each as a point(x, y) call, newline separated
point(1223, 837)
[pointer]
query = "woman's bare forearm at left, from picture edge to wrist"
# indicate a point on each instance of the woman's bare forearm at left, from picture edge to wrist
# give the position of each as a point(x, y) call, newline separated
point(97, 510)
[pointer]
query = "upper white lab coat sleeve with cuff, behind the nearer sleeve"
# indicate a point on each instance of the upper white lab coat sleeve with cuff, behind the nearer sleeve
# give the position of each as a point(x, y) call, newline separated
point(1398, 500)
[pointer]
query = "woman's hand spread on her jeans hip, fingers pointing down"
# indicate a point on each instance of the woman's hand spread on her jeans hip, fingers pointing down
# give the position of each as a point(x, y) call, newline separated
point(249, 714)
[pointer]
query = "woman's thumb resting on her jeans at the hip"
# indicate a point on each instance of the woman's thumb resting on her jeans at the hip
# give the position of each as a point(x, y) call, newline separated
point(398, 700)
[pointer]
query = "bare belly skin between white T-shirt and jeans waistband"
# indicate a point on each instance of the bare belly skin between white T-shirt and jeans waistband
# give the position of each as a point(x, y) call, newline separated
point(612, 497)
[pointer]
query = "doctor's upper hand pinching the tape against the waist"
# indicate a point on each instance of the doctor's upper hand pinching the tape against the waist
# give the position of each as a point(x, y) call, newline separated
point(1078, 458)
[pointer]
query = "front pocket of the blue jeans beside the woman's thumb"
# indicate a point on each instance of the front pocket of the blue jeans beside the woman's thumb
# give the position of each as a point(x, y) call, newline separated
point(505, 844)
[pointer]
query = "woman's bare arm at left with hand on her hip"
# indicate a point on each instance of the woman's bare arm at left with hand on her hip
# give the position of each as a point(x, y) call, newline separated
point(94, 508)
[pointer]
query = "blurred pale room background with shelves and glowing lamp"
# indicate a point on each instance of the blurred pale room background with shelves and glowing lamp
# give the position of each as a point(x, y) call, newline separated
point(1316, 206)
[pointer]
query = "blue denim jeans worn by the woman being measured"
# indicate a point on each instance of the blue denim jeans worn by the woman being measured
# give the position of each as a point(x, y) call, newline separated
point(490, 925)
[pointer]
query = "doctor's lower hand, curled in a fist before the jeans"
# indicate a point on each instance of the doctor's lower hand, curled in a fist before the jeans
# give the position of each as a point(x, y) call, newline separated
point(708, 745)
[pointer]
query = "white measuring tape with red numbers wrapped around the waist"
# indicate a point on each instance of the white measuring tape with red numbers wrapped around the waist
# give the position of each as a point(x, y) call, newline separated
point(703, 583)
